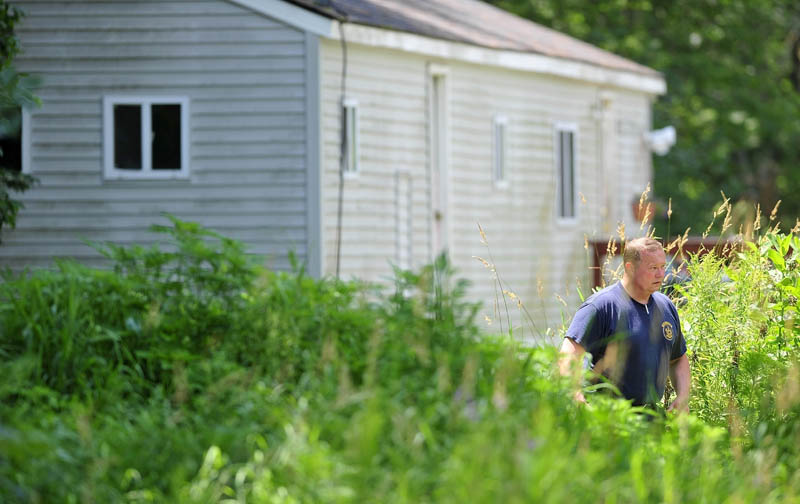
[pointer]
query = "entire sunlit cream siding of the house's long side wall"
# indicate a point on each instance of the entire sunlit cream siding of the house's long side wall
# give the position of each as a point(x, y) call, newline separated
point(529, 246)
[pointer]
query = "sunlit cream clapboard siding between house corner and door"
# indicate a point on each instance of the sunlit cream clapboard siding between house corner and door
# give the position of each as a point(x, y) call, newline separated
point(389, 87)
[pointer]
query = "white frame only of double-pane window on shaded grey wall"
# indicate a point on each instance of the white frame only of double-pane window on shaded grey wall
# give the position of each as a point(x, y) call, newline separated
point(147, 172)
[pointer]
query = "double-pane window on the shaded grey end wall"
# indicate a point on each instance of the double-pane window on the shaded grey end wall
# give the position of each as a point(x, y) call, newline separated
point(146, 137)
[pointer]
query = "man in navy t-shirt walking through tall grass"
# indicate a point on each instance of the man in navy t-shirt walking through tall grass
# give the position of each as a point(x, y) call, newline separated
point(633, 332)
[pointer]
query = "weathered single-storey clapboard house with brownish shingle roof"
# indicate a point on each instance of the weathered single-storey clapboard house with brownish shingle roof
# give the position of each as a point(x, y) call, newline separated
point(359, 133)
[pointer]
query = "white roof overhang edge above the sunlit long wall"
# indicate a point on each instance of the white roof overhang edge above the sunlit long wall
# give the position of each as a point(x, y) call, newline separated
point(653, 84)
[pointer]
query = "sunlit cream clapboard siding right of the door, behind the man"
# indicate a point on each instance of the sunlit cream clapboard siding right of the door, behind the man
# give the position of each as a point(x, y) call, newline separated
point(529, 246)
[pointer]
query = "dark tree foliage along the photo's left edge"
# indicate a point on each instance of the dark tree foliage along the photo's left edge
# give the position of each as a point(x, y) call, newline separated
point(16, 91)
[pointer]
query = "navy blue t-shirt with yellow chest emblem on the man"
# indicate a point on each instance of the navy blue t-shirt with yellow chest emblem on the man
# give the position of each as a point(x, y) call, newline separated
point(632, 344)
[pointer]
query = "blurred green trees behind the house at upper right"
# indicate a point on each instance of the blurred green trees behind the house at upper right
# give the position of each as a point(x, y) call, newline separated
point(733, 73)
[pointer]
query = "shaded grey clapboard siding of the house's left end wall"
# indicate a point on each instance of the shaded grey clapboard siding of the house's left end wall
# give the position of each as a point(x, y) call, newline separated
point(245, 77)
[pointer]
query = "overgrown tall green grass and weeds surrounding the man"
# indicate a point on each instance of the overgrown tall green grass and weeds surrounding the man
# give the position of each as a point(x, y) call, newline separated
point(196, 376)
